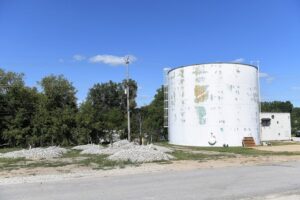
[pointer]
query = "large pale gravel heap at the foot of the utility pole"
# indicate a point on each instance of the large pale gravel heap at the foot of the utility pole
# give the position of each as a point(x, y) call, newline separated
point(127, 151)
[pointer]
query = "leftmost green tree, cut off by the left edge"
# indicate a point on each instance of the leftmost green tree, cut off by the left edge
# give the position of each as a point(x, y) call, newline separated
point(18, 106)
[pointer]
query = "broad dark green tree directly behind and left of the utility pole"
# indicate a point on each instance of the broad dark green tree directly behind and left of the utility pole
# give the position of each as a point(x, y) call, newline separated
point(105, 102)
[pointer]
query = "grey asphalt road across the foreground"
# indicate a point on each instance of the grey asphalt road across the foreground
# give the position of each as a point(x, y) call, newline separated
point(223, 183)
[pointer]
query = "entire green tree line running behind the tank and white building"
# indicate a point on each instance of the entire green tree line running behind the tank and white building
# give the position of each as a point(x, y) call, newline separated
point(52, 116)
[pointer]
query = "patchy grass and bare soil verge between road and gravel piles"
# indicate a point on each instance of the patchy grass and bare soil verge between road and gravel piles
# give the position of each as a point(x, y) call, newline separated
point(73, 164)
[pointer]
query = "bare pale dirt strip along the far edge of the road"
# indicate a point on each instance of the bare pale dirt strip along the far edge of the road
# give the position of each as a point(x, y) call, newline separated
point(79, 171)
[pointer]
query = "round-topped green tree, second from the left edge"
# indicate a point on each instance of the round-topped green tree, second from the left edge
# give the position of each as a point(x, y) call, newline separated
point(55, 120)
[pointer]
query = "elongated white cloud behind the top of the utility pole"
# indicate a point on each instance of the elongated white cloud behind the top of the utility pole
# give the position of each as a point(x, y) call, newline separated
point(111, 59)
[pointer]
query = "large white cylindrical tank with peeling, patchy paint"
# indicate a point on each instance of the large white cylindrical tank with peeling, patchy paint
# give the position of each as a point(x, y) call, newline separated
point(213, 104)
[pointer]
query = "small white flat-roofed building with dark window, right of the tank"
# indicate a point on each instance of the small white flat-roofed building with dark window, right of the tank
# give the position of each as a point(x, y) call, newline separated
point(275, 126)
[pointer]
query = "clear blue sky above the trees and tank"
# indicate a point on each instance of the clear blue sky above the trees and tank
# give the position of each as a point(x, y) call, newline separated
point(42, 37)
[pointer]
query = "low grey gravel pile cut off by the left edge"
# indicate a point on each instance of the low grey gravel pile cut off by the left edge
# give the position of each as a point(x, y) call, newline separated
point(36, 153)
